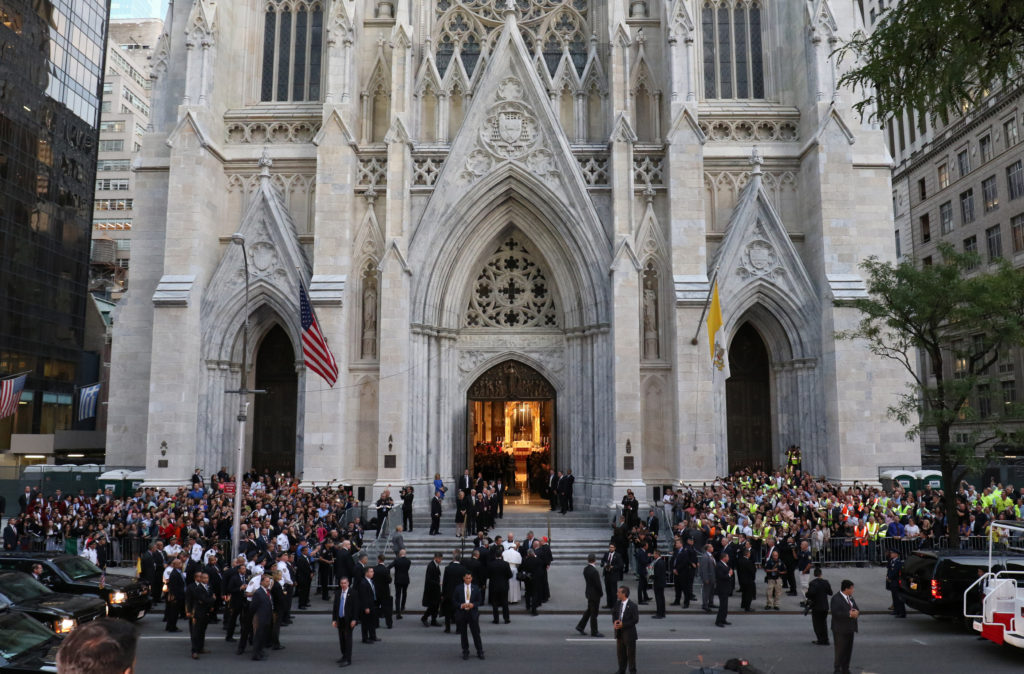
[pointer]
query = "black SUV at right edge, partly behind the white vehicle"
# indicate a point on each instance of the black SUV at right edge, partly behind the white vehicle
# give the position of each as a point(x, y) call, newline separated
point(934, 581)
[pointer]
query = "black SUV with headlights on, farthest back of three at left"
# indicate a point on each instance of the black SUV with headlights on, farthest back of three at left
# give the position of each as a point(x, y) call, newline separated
point(125, 597)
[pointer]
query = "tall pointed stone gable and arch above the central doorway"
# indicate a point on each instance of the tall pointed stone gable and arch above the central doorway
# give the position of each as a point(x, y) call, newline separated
point(520, 171)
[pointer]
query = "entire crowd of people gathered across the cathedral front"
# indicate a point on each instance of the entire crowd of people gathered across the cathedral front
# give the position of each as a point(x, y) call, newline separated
point(713, 538)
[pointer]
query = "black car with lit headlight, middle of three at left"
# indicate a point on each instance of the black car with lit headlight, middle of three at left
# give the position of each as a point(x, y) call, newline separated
point(60, 612)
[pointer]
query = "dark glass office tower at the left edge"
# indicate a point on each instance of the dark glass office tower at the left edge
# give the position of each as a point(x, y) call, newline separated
point(51, 79)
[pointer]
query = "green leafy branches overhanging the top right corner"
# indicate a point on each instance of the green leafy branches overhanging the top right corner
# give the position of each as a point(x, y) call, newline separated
point(935, 57)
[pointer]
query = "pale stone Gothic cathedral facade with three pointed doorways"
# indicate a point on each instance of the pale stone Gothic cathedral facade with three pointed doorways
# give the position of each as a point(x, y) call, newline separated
point(508, 215)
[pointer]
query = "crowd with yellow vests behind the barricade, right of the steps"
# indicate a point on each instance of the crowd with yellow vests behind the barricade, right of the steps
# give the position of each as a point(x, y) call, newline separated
point(787, 511)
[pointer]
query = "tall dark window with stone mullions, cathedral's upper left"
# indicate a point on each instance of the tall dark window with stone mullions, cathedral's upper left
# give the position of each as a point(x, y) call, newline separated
point(293, 49)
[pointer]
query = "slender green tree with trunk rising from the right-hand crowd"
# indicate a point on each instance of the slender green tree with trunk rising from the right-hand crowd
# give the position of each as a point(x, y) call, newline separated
point(950, 313)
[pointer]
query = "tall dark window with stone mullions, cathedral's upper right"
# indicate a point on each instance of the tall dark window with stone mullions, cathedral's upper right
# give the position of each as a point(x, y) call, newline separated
point(733, 56)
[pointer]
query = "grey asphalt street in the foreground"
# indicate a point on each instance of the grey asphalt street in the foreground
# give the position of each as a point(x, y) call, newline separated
point(775, 643)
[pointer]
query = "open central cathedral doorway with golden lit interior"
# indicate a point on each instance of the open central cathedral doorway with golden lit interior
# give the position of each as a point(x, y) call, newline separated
point(511, 426)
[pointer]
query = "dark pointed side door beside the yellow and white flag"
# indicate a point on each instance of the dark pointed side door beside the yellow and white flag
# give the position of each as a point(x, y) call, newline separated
point(748, 400)
